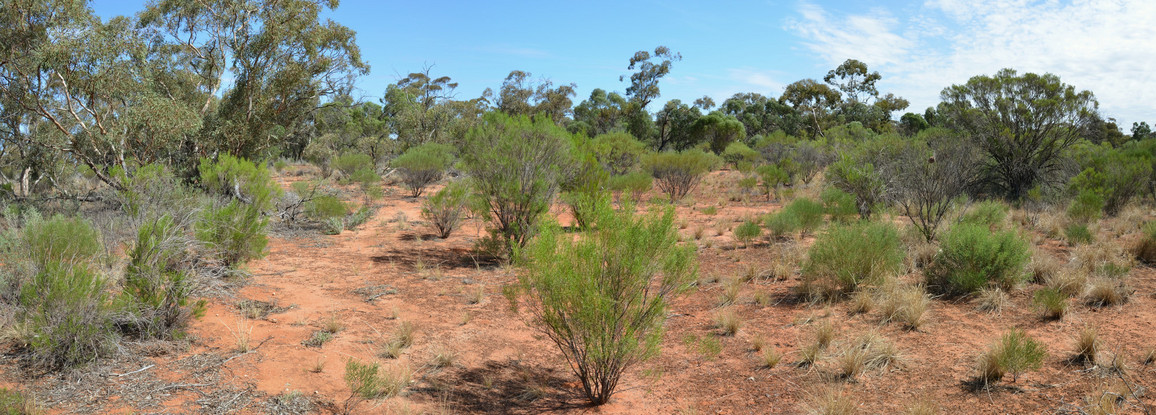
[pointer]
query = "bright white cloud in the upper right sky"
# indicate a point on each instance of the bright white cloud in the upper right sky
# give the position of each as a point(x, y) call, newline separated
point(1101, 46)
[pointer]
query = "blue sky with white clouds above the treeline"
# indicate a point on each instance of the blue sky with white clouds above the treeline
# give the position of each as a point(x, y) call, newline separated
point(760, 47)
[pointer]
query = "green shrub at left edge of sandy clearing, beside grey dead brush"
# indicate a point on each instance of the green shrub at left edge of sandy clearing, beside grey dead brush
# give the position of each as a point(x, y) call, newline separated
point(234, 231)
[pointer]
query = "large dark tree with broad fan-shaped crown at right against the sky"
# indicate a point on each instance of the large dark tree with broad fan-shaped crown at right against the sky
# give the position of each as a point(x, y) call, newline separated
point(1024, 123)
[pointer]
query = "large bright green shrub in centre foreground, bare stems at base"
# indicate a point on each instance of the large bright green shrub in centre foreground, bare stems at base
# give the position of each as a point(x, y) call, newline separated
point(596, 297)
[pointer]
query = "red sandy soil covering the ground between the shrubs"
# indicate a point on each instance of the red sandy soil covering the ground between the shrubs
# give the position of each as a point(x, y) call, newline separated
point(505, 366)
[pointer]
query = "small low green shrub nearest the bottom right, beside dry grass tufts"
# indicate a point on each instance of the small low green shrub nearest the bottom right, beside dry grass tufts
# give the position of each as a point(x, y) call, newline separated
point(1016, 353)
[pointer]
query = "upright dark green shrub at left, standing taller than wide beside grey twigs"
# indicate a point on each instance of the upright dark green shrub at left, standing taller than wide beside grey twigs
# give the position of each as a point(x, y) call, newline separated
point(158, 290)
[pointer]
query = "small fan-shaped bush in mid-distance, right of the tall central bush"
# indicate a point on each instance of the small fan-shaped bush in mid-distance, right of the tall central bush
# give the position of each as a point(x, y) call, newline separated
point(678, 174)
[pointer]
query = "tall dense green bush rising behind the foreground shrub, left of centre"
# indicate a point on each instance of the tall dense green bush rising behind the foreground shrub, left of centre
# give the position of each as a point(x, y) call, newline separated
point(517, 166)
